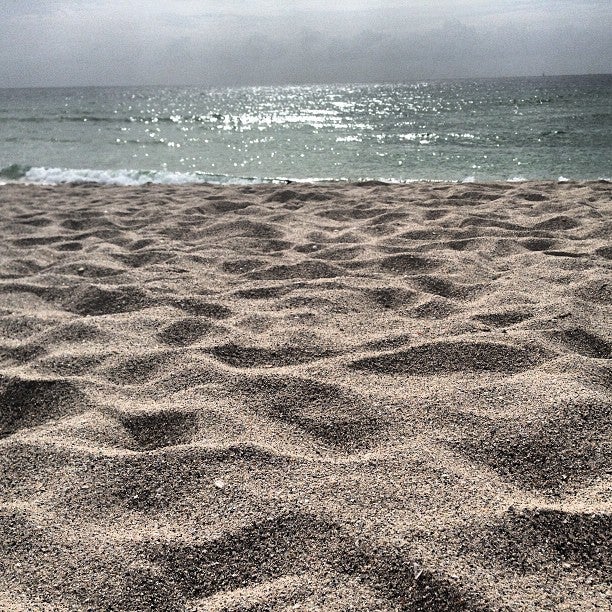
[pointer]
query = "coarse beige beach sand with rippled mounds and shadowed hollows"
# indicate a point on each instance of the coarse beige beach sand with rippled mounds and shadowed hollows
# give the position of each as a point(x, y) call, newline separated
point(306, 397)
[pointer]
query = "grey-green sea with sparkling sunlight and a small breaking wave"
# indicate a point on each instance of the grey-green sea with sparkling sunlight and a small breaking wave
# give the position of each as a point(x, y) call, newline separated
point(460, 130)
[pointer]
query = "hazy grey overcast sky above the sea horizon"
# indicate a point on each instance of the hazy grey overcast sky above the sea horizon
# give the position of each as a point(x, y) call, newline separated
point(217, 43)
